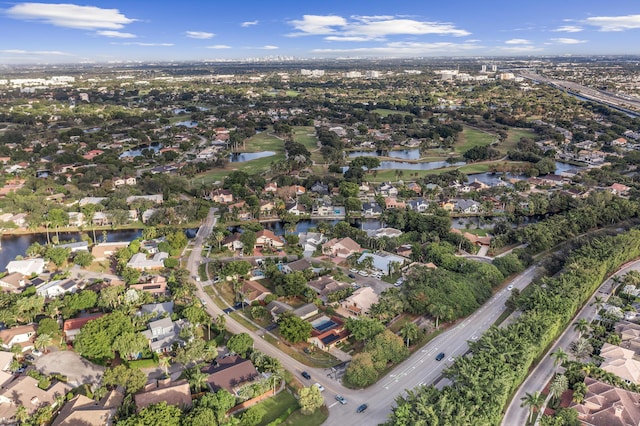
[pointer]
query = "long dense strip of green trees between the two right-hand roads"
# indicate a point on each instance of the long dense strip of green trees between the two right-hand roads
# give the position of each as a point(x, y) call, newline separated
point(484, 382)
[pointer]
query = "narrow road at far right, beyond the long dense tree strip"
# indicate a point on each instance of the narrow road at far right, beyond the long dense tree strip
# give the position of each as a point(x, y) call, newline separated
point(540, 376)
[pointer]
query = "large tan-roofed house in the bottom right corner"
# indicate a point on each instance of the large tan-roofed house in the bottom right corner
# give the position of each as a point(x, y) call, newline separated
point(604, 404)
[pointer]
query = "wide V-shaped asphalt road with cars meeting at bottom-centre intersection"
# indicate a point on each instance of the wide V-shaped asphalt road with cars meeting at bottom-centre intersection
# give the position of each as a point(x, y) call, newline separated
point(420, 368)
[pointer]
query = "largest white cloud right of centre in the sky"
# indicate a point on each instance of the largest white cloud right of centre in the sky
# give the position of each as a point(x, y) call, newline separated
point(367, 28)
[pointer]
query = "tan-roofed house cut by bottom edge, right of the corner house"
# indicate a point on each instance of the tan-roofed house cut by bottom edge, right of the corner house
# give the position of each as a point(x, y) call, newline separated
point(84, 411)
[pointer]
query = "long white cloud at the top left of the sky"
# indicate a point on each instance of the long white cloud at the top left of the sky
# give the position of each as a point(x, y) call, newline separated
point(70, 15)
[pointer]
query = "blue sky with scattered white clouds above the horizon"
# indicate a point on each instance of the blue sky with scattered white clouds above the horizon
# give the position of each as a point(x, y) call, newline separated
point(162, 30)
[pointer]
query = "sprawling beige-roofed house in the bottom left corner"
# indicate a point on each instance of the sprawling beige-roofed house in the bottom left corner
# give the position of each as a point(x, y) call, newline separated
point(24, 391)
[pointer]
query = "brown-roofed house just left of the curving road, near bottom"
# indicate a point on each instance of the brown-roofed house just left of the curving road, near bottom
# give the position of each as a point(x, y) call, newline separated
point(230, 373)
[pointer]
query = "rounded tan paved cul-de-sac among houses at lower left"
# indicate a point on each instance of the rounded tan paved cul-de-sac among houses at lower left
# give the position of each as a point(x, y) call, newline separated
point(77, 369)
